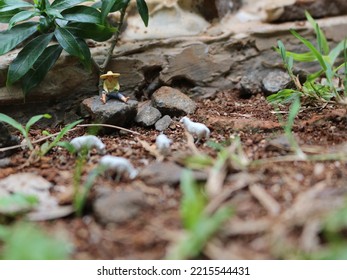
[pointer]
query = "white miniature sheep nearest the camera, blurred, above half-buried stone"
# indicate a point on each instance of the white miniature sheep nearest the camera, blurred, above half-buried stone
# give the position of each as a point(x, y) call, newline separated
point(118, 166)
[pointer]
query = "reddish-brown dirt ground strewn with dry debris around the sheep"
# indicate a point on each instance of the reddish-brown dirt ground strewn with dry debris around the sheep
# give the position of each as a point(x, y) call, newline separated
point(280, 203)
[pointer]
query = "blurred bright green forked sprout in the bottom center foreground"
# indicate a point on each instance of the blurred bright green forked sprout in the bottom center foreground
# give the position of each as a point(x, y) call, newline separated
point(199, 225)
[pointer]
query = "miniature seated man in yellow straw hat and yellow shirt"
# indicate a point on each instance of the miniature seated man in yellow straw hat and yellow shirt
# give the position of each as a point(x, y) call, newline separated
point(111, 88)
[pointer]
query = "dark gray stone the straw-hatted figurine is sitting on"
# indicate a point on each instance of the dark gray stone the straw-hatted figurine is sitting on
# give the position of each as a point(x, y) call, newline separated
point(114, 112)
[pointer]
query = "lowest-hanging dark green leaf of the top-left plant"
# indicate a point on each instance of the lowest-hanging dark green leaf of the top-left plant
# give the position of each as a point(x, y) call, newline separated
point(41, 67)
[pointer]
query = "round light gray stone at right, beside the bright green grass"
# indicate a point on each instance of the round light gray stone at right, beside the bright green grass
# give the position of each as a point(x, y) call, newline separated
point(276, 81)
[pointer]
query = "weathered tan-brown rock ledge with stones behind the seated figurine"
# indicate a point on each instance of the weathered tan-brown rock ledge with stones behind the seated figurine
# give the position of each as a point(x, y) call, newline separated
point(194, 47)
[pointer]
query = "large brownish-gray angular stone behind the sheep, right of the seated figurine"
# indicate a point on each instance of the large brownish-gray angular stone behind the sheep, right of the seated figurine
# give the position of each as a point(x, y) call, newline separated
point(172, 102)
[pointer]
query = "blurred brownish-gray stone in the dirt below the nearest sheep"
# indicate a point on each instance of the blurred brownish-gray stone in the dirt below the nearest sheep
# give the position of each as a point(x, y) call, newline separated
point(118, 206)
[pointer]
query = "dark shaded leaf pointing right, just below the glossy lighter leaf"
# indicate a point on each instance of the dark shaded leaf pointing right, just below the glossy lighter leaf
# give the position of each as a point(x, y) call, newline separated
point(93, 31)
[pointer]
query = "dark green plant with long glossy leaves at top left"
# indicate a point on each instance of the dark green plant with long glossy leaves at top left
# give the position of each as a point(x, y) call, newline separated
point(61, 25)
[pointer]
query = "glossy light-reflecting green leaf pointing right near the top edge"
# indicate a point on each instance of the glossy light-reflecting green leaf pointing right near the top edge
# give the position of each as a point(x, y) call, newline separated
point(82, 14)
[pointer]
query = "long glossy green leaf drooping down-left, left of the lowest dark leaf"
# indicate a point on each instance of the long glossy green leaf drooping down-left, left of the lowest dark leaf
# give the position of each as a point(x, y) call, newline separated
point(27, 57)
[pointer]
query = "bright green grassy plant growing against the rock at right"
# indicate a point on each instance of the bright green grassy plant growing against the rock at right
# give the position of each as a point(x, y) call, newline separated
point(323, 85)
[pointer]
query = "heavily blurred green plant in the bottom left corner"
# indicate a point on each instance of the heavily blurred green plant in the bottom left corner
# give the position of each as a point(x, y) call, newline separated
point(24, 241)
